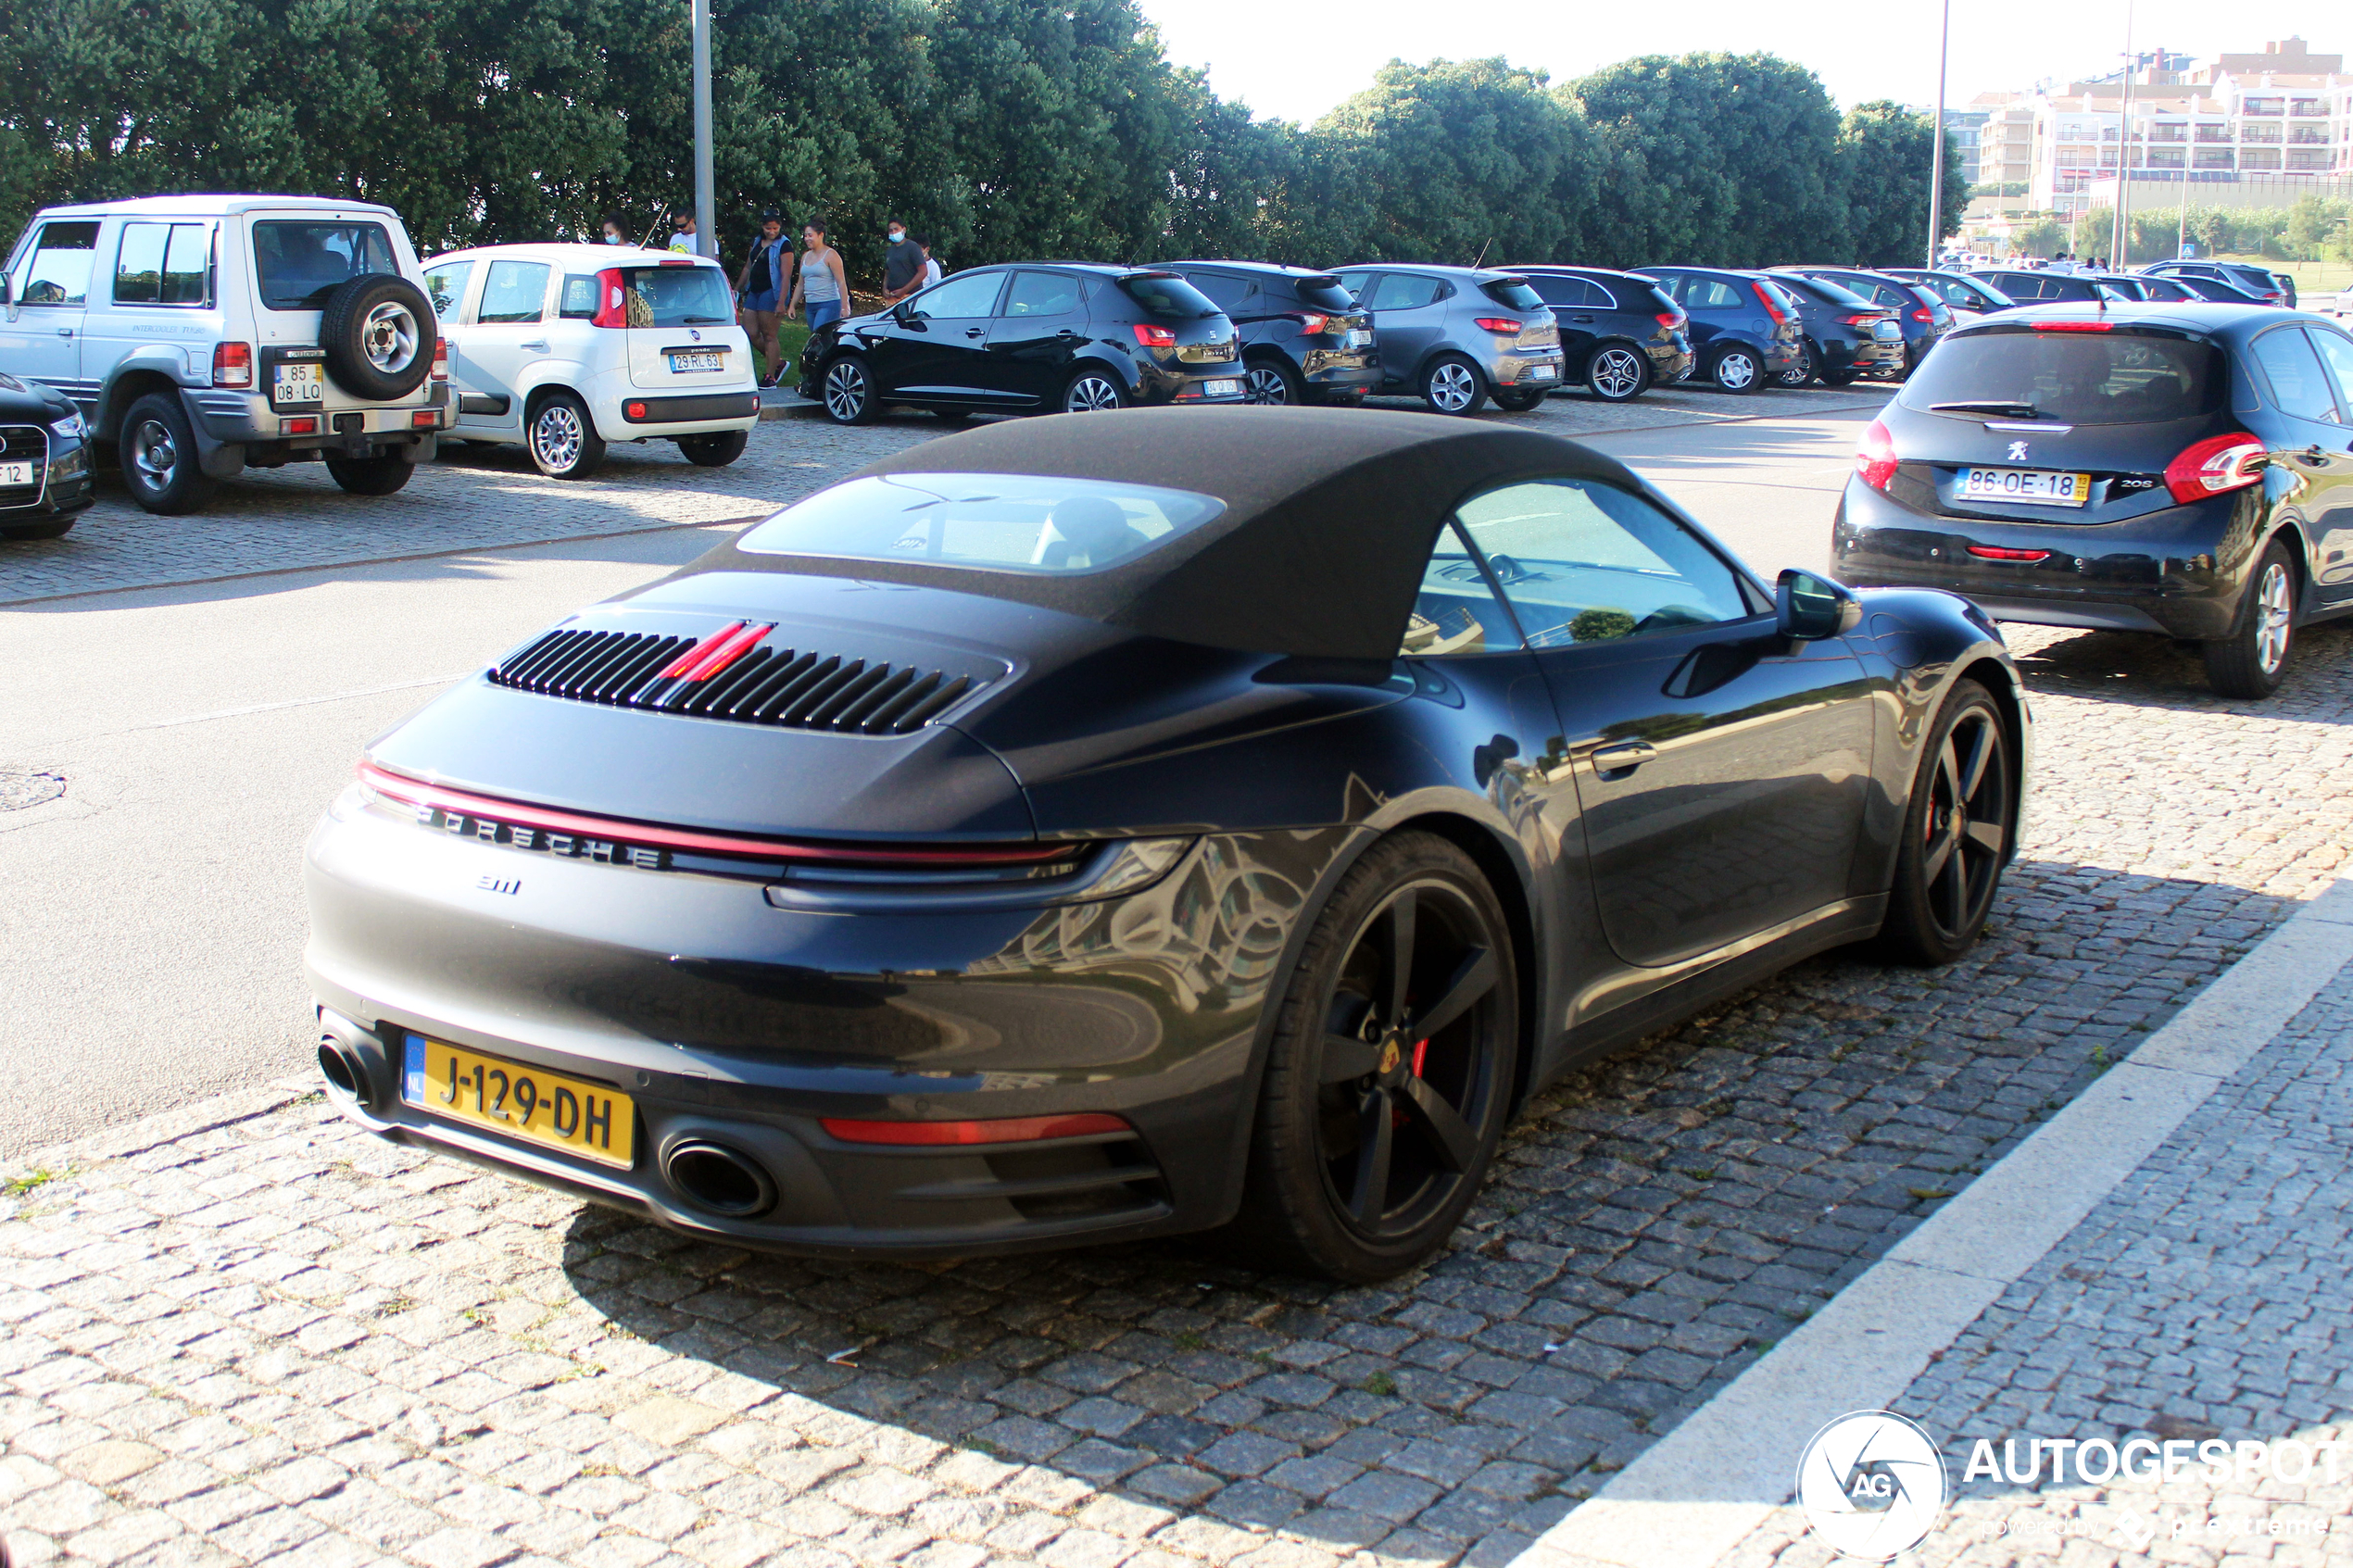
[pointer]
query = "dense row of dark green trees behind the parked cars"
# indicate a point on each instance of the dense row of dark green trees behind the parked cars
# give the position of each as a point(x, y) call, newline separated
point(1006, 128)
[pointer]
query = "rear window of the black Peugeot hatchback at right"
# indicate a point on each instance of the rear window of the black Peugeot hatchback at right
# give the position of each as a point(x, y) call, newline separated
point(2069, 377)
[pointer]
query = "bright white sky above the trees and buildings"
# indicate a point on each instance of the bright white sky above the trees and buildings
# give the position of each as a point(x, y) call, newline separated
point(1295, 58)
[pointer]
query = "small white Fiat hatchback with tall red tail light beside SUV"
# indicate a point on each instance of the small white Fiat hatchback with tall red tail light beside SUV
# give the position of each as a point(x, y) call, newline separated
point(571, 347)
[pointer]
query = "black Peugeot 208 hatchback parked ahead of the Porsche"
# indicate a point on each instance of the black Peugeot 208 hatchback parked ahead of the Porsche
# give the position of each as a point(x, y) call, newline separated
point(2138, 469)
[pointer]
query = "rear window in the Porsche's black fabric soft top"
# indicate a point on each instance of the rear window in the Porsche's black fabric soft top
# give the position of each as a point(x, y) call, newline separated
point(999, 523)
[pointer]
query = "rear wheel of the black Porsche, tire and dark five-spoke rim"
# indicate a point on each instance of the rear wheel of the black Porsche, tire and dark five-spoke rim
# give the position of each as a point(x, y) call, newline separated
point(1371, 1144)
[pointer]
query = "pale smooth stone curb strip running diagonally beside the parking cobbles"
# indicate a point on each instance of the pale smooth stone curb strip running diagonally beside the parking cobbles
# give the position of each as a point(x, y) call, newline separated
point(1724, 1473)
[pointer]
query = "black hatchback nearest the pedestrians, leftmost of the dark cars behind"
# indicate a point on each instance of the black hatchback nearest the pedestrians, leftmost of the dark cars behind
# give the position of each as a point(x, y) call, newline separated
point(1029, 337)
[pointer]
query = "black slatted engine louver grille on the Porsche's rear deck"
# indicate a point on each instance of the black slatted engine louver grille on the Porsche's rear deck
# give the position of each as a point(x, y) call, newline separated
point(768, 685)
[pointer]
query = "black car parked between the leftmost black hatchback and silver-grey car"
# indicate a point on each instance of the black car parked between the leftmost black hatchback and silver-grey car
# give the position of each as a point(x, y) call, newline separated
point(1305, 337)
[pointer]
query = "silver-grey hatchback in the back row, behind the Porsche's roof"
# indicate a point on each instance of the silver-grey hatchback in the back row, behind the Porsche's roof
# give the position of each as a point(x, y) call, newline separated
point(1458, 337)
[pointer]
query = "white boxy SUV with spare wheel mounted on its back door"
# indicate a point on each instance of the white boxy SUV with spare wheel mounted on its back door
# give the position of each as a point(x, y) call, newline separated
point(211, 333)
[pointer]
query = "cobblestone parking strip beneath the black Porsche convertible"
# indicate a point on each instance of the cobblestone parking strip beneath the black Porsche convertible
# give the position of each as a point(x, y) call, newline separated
point(284, 1339)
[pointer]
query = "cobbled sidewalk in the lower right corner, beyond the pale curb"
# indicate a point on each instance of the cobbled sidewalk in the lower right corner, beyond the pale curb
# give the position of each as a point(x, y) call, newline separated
point(2201, 1301)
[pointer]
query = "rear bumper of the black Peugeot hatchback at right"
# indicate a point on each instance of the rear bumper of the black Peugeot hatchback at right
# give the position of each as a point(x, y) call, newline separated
point(2180, 572)
